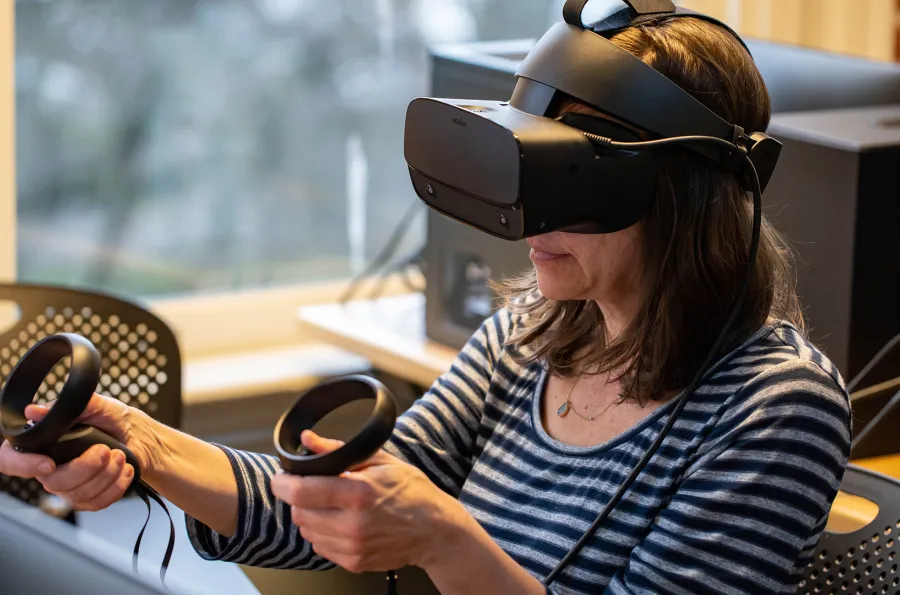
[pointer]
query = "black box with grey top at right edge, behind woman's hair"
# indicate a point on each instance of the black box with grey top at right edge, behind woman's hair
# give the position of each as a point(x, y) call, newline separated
point(835, 197)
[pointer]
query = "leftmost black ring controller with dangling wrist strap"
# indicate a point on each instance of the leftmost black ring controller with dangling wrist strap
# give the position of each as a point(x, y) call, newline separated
point(57, 435)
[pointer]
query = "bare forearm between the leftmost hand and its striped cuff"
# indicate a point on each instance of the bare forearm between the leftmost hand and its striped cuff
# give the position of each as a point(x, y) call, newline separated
point(194, 475)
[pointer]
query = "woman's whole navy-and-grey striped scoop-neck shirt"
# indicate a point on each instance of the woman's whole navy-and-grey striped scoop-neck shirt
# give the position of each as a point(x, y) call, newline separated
point(734, 500)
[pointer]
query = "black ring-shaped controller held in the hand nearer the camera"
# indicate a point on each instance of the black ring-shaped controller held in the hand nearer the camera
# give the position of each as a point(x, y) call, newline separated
point(319, 401)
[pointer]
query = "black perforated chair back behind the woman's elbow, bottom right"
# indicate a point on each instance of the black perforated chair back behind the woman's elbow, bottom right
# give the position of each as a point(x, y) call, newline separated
point(862, 562)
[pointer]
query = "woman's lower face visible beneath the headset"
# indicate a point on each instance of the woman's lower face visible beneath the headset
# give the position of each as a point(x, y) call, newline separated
point(606, 268)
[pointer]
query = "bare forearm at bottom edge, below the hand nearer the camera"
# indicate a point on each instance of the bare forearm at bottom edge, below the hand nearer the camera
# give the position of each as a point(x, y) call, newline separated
point(469, 561)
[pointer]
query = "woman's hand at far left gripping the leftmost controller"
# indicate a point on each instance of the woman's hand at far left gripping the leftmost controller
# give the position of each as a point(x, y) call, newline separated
point(100, 476)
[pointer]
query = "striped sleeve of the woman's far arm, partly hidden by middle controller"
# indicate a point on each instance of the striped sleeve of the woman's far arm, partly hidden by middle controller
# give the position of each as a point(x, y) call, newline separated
point(436, 434)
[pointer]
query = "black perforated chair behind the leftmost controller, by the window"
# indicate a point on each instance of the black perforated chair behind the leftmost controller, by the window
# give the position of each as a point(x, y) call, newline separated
point(141, 363)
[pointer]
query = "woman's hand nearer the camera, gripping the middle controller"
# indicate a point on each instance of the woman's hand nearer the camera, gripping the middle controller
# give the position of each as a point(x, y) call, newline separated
point(383, 514)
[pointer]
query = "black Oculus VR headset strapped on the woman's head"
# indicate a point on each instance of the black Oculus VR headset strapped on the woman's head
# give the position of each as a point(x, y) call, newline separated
point(510, 169)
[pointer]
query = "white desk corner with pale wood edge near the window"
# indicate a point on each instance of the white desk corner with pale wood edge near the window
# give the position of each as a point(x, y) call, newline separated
point(389, 332)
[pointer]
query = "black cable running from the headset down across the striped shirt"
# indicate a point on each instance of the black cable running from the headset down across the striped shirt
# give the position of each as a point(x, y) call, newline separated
point(713, 352)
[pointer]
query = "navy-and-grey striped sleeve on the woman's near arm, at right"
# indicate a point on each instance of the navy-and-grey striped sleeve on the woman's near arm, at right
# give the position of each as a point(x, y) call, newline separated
point(749, 512)
